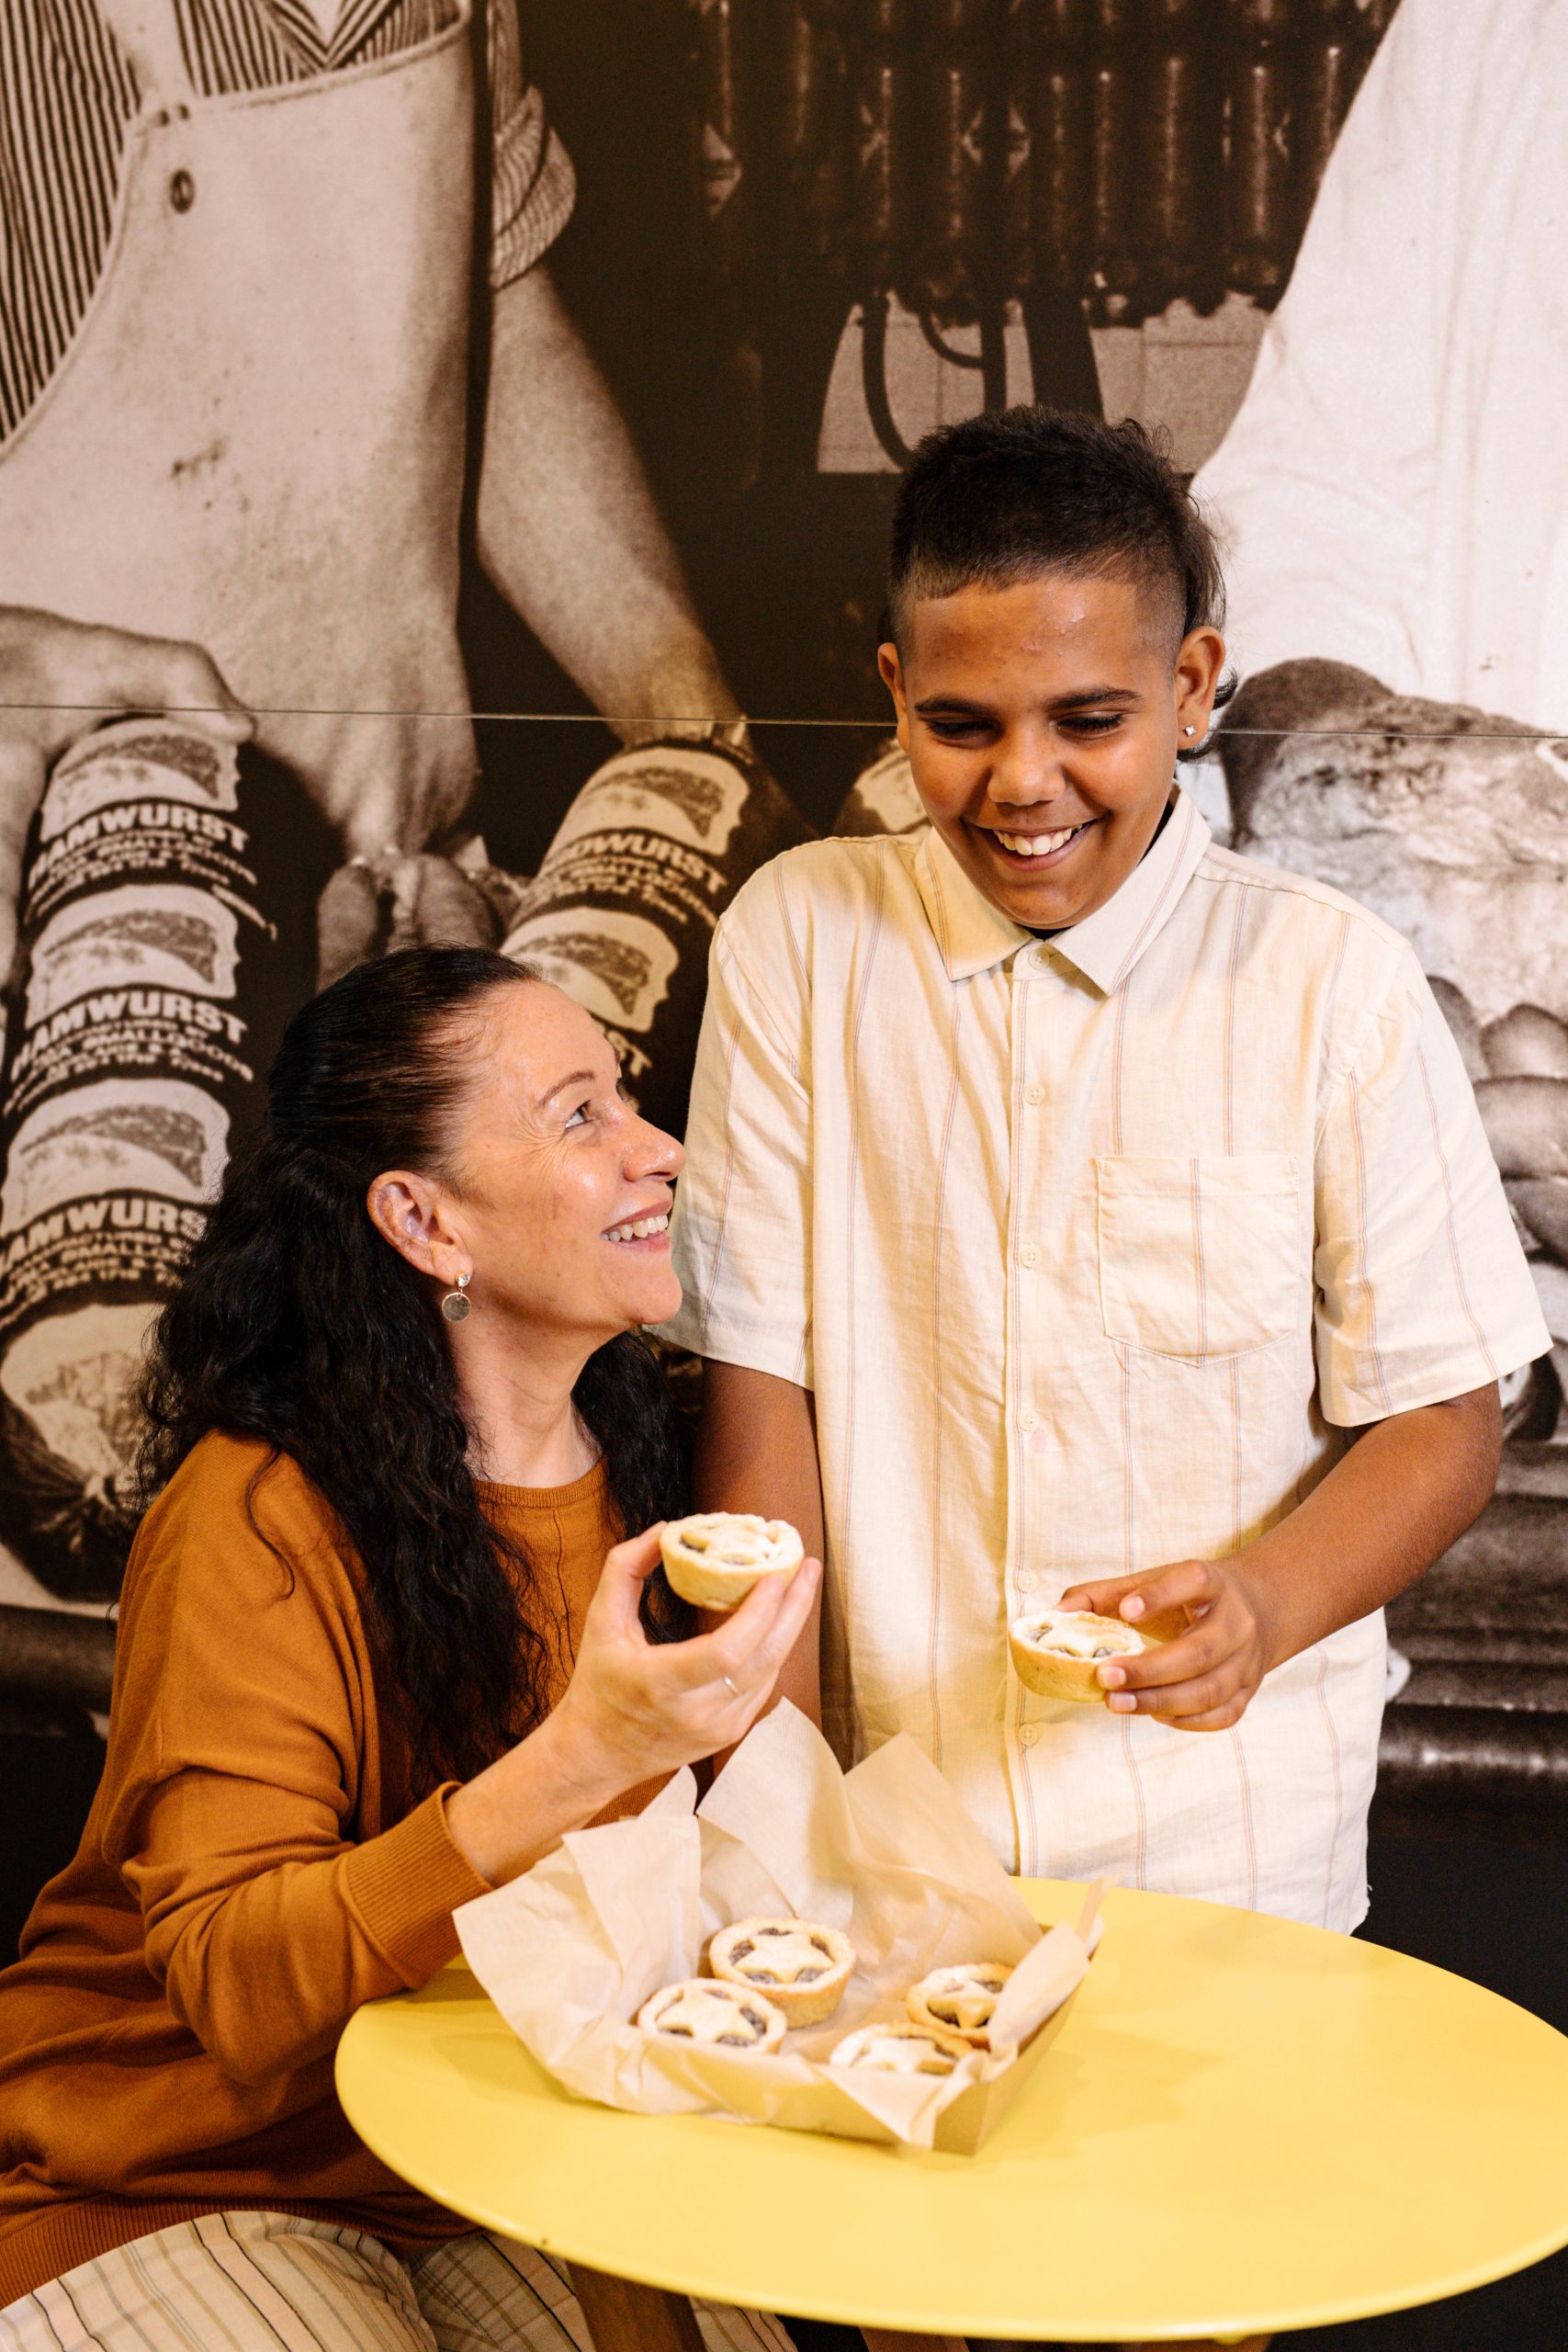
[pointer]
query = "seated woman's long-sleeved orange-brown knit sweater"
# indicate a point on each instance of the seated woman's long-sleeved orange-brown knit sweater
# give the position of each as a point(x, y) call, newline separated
point(250, 1873)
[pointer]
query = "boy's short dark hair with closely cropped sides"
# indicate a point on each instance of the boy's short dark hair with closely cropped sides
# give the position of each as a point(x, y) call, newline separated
point(1005, 497)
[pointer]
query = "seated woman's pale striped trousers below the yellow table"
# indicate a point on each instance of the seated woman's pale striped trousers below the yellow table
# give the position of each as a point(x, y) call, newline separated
point(269, 2283)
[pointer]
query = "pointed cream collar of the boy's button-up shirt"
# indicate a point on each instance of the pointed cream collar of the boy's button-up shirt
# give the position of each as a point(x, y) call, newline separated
point(977, 935)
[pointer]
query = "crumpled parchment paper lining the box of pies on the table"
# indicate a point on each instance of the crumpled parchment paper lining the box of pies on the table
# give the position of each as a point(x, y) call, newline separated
point(887, 1855)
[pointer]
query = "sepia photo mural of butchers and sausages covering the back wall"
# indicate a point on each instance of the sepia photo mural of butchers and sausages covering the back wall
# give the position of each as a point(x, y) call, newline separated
point(445, 469)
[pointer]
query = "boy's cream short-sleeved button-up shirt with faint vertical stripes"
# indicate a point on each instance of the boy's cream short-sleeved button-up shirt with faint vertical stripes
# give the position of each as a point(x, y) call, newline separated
point(1090, 1252)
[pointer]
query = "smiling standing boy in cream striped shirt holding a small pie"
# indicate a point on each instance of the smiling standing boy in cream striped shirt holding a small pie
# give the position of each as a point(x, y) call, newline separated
point(1073, 1194)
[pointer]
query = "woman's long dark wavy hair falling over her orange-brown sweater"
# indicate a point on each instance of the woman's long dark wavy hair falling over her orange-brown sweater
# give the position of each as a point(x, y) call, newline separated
point(295, 1323)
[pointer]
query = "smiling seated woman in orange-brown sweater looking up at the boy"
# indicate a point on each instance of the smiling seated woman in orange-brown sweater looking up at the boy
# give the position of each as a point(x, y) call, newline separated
point(380, 1650)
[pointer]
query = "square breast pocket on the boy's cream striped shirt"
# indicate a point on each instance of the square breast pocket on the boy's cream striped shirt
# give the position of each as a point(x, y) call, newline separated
point(1202, 1257)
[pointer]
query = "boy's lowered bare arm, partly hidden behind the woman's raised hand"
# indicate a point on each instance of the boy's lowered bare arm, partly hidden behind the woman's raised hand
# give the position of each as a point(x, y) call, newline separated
point(758, 1452)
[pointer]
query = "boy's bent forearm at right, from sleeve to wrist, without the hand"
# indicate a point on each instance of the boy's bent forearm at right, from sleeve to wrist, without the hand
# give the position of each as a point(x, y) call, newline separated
point(1388, 1509)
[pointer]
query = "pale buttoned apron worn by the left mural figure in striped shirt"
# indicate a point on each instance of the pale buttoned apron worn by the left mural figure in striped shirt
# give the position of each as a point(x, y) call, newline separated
point(257, 436)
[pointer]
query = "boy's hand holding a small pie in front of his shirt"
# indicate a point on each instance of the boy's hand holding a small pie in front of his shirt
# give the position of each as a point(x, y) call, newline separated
point(1212, 1643)
